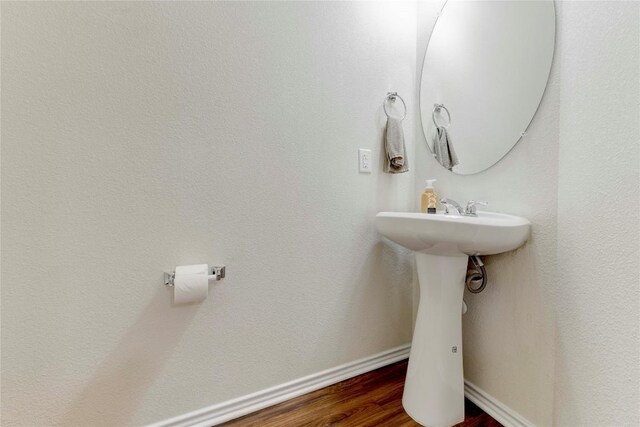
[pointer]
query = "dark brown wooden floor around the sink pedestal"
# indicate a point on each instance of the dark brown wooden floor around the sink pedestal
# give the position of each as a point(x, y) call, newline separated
point(370, 400)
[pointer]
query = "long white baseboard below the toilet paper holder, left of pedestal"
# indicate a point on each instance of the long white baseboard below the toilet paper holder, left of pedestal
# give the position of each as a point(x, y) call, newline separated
point(231, 409)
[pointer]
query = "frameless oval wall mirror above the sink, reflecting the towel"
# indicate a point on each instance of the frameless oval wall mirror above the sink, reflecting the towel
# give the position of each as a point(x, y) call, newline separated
point(484, 75)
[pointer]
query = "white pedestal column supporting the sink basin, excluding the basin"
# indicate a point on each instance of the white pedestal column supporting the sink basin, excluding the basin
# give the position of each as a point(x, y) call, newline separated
point(434, 387)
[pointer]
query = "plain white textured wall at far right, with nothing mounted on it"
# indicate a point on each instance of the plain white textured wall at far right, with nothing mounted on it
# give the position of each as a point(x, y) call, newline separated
point(598, 290)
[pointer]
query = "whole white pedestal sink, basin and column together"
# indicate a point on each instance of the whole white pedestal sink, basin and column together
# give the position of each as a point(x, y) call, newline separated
point(434, 388)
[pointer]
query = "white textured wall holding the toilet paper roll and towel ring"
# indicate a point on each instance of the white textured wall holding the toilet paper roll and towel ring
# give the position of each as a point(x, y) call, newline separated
point(139, 136)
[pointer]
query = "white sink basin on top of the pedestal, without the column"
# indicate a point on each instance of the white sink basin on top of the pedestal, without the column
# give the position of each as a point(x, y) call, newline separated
point(487, 234)
